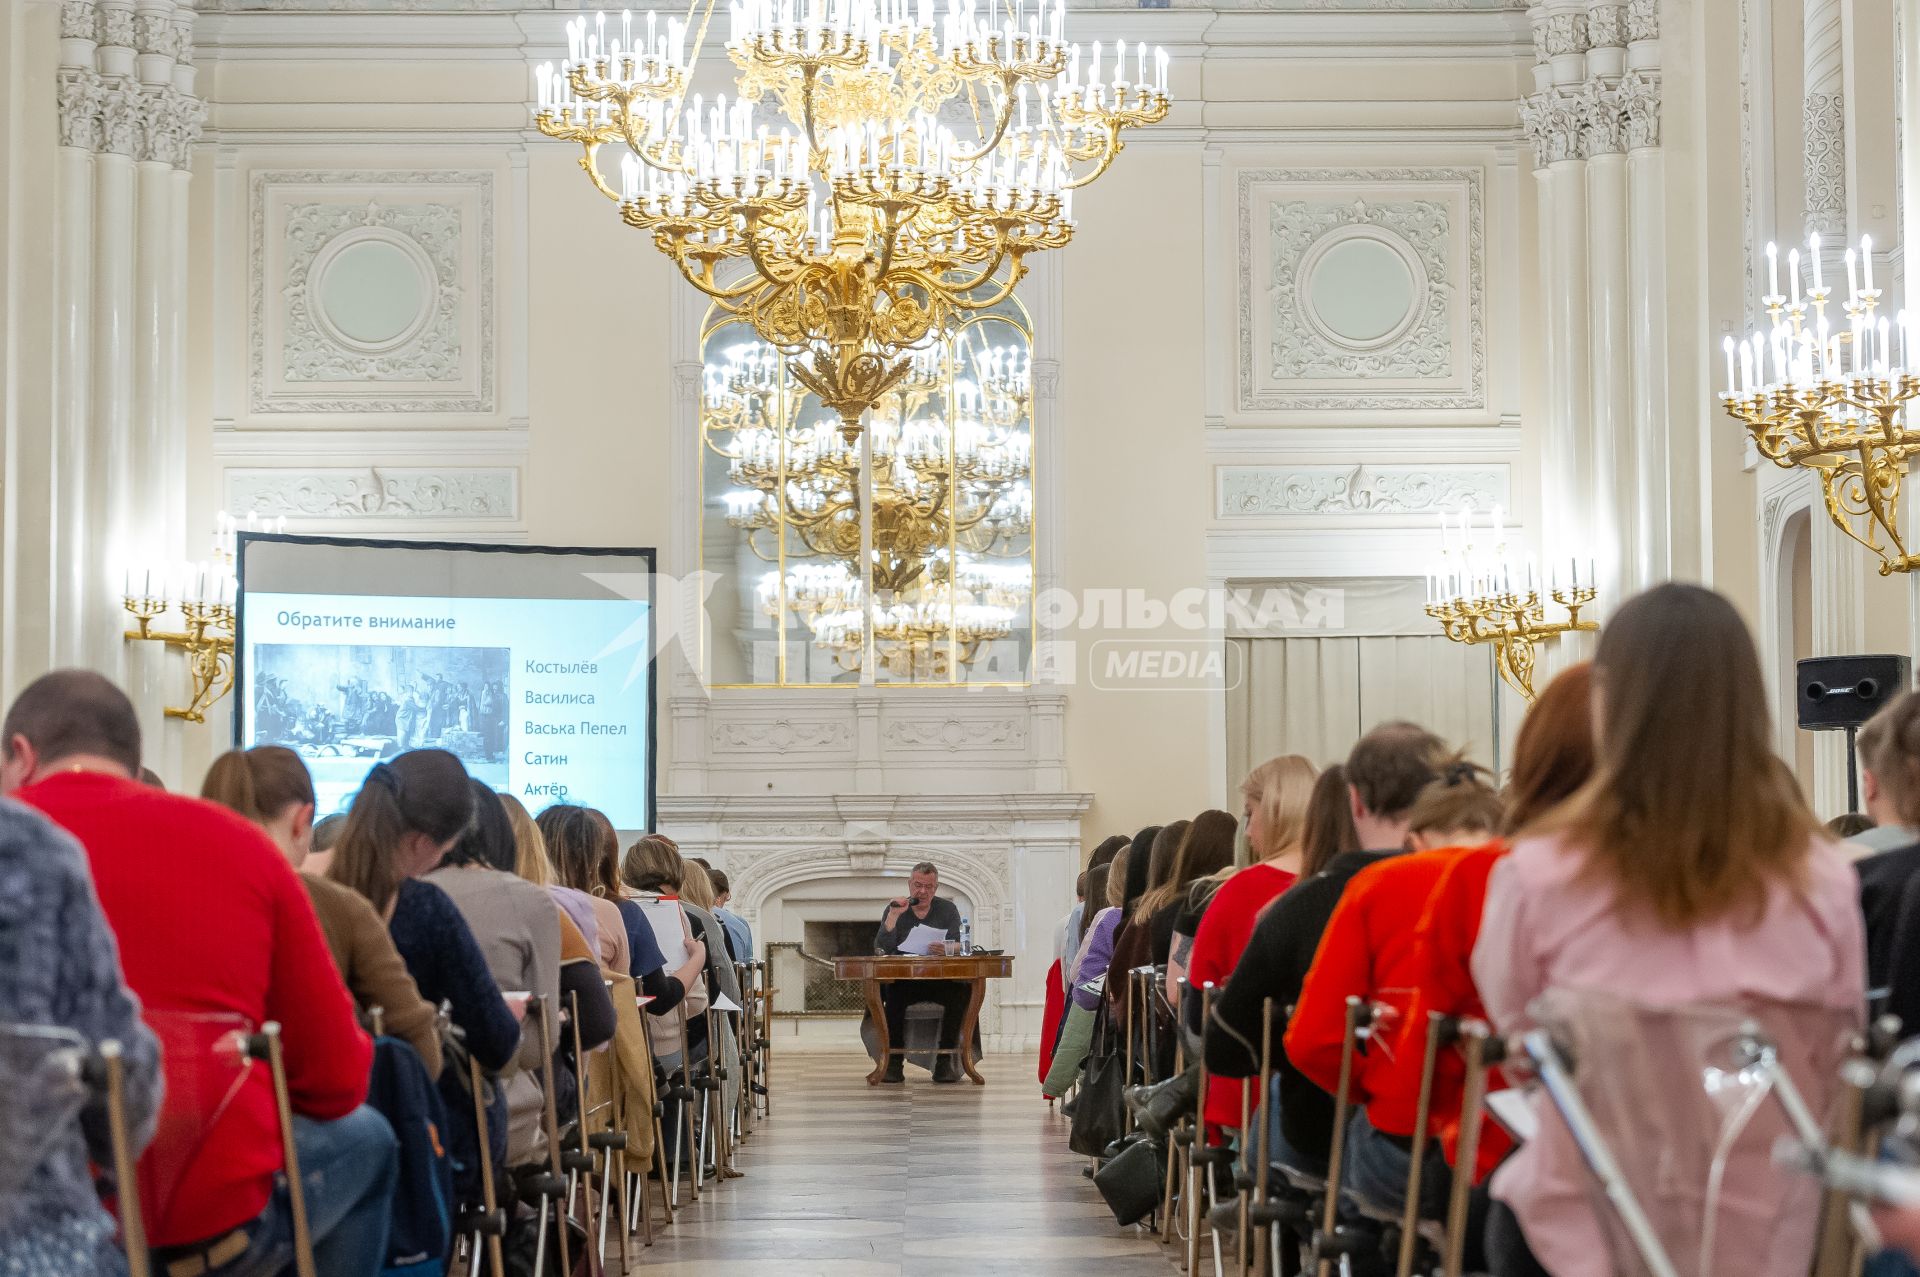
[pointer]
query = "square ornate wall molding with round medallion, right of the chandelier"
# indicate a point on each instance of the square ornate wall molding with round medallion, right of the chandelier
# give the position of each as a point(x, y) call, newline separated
point(1406, 243)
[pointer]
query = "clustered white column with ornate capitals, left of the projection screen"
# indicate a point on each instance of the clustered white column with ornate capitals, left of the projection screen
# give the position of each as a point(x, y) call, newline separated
point(118, 448)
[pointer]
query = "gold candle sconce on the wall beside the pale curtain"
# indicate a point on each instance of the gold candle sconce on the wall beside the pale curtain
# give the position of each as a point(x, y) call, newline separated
point(1481, 594)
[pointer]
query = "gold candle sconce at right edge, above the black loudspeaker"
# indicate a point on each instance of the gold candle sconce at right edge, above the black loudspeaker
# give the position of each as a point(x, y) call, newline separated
point(1833, 398)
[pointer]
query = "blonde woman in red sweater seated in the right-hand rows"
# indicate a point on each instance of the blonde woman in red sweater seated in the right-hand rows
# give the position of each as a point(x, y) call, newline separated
point(1276, 798)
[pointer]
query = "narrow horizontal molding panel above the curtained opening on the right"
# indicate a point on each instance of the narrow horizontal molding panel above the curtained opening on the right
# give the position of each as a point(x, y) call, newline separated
point(1284, 491)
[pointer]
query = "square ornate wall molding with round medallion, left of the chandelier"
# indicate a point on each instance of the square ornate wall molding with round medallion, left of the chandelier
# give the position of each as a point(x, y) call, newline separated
point(408, 260)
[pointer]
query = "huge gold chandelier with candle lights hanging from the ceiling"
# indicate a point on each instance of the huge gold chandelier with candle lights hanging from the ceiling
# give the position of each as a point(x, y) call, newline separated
point(913, 166)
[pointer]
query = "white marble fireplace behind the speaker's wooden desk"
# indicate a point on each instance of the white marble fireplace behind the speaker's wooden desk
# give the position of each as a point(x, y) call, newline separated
point(819, 802)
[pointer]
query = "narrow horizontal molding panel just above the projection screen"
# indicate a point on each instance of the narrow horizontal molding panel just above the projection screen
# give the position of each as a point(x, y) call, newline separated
point(377, 494)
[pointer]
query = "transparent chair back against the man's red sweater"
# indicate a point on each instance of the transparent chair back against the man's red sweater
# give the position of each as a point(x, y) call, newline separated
point(206, 1067)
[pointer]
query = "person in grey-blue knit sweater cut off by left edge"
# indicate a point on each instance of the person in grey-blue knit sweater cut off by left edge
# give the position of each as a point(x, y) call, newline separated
point(60, 975)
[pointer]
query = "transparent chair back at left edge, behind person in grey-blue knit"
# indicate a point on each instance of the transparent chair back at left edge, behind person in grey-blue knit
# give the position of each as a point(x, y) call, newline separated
point(45, 1071)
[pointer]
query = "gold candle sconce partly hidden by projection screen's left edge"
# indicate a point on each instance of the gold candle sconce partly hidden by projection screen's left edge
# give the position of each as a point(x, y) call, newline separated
point(204, 594)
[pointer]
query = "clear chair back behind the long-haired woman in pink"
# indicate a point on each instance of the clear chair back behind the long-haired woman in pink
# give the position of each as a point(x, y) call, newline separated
point(1689, 1107)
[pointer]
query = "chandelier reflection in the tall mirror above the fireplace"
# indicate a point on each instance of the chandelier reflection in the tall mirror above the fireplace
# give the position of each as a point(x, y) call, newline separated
point(951, 470)
